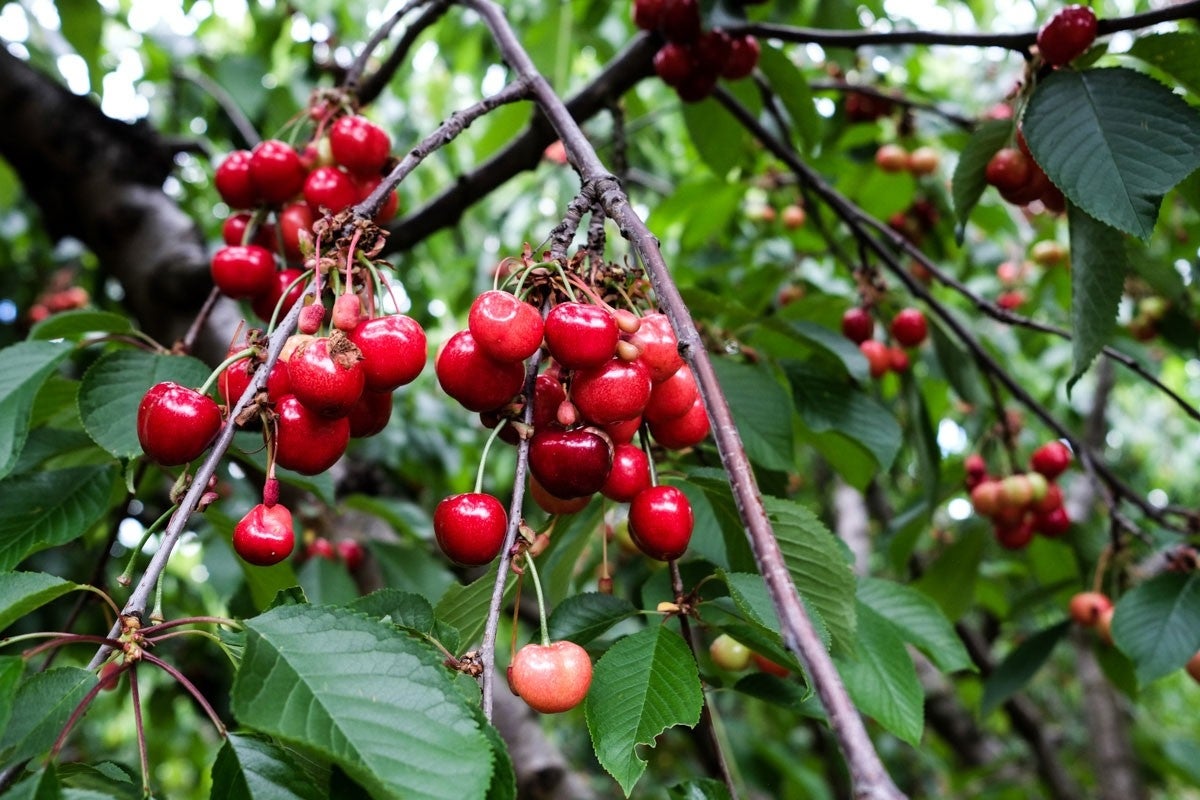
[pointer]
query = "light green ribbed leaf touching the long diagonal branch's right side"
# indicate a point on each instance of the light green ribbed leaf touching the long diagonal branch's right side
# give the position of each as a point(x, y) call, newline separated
point(818, 566)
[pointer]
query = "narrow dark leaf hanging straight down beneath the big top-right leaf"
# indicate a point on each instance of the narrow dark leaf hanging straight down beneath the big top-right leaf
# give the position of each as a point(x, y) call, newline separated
point(1099, 268)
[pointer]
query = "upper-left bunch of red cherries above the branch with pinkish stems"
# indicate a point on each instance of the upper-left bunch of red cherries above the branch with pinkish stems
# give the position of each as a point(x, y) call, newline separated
point(278, 193)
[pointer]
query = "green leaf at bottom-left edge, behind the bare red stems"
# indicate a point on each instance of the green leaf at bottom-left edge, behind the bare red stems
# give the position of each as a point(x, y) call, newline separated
point(40, 711)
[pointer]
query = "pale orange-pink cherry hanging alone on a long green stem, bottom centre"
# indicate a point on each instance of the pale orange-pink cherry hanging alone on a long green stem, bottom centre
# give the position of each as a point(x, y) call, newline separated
point(551, 678)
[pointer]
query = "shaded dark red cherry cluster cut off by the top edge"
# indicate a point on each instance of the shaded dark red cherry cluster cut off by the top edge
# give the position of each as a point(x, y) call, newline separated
point(693, 61)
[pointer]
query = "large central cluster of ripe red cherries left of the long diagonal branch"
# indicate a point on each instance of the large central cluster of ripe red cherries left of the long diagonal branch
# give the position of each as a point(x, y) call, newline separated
point(609, 372)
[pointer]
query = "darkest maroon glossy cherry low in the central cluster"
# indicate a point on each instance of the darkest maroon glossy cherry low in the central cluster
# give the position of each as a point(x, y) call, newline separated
point(571, 464)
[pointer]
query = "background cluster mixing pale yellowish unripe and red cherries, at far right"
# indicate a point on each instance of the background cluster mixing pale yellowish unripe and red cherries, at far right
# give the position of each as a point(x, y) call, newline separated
point(1023, 504)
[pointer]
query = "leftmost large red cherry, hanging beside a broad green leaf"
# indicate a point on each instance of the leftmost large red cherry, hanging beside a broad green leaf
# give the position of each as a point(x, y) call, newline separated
point(177, 424)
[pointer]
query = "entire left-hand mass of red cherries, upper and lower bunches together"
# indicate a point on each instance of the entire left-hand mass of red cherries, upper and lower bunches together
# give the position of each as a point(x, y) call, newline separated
point(296, 236)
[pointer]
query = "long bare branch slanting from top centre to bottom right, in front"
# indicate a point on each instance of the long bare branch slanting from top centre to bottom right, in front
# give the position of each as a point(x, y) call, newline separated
point(871, 779)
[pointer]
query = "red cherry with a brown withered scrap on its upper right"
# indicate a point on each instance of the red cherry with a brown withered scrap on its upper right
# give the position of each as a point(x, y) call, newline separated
point(327, 375)
